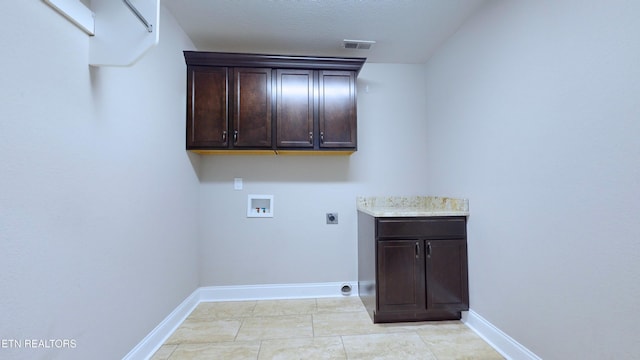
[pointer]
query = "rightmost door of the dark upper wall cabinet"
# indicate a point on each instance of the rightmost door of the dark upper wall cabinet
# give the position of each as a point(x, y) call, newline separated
point(337, 109)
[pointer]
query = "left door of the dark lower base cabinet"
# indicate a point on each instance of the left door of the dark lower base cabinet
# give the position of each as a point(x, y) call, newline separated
point(400, 276)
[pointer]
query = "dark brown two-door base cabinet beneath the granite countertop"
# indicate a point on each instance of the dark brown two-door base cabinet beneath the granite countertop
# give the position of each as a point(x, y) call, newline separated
point(413, 269)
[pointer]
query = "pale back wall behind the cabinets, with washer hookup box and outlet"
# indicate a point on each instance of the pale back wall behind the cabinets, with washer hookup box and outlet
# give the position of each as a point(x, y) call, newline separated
point(297, 246)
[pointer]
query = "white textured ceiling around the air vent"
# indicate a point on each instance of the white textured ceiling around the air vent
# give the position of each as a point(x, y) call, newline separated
point(405, 31)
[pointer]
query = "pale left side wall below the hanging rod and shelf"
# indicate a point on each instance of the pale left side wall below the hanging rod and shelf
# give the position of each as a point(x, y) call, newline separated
point(97, 195)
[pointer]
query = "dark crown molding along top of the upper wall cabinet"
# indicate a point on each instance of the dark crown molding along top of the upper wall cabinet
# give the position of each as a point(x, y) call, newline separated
point(206, 58)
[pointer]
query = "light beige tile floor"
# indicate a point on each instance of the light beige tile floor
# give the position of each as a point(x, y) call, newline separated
point(323, 328)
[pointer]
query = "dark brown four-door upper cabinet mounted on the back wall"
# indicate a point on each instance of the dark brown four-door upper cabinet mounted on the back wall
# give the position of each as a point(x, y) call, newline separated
point(245, 101)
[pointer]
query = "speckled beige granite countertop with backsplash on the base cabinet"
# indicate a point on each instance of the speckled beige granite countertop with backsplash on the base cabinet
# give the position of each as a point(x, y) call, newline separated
point(397, 206)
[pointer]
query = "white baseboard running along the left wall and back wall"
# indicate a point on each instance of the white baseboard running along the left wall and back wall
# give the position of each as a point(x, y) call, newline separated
point(154, 340)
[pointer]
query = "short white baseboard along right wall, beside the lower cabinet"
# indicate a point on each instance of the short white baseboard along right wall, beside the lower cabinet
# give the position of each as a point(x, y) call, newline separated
point(503, 343)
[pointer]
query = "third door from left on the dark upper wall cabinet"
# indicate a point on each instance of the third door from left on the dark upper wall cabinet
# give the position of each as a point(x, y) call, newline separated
point(294, 108)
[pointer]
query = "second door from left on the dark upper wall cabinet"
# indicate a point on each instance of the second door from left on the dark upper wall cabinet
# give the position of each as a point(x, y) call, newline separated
point(252, 107)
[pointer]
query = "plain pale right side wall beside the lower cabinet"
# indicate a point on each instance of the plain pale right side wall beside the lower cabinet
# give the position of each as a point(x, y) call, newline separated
point(534, 115)
